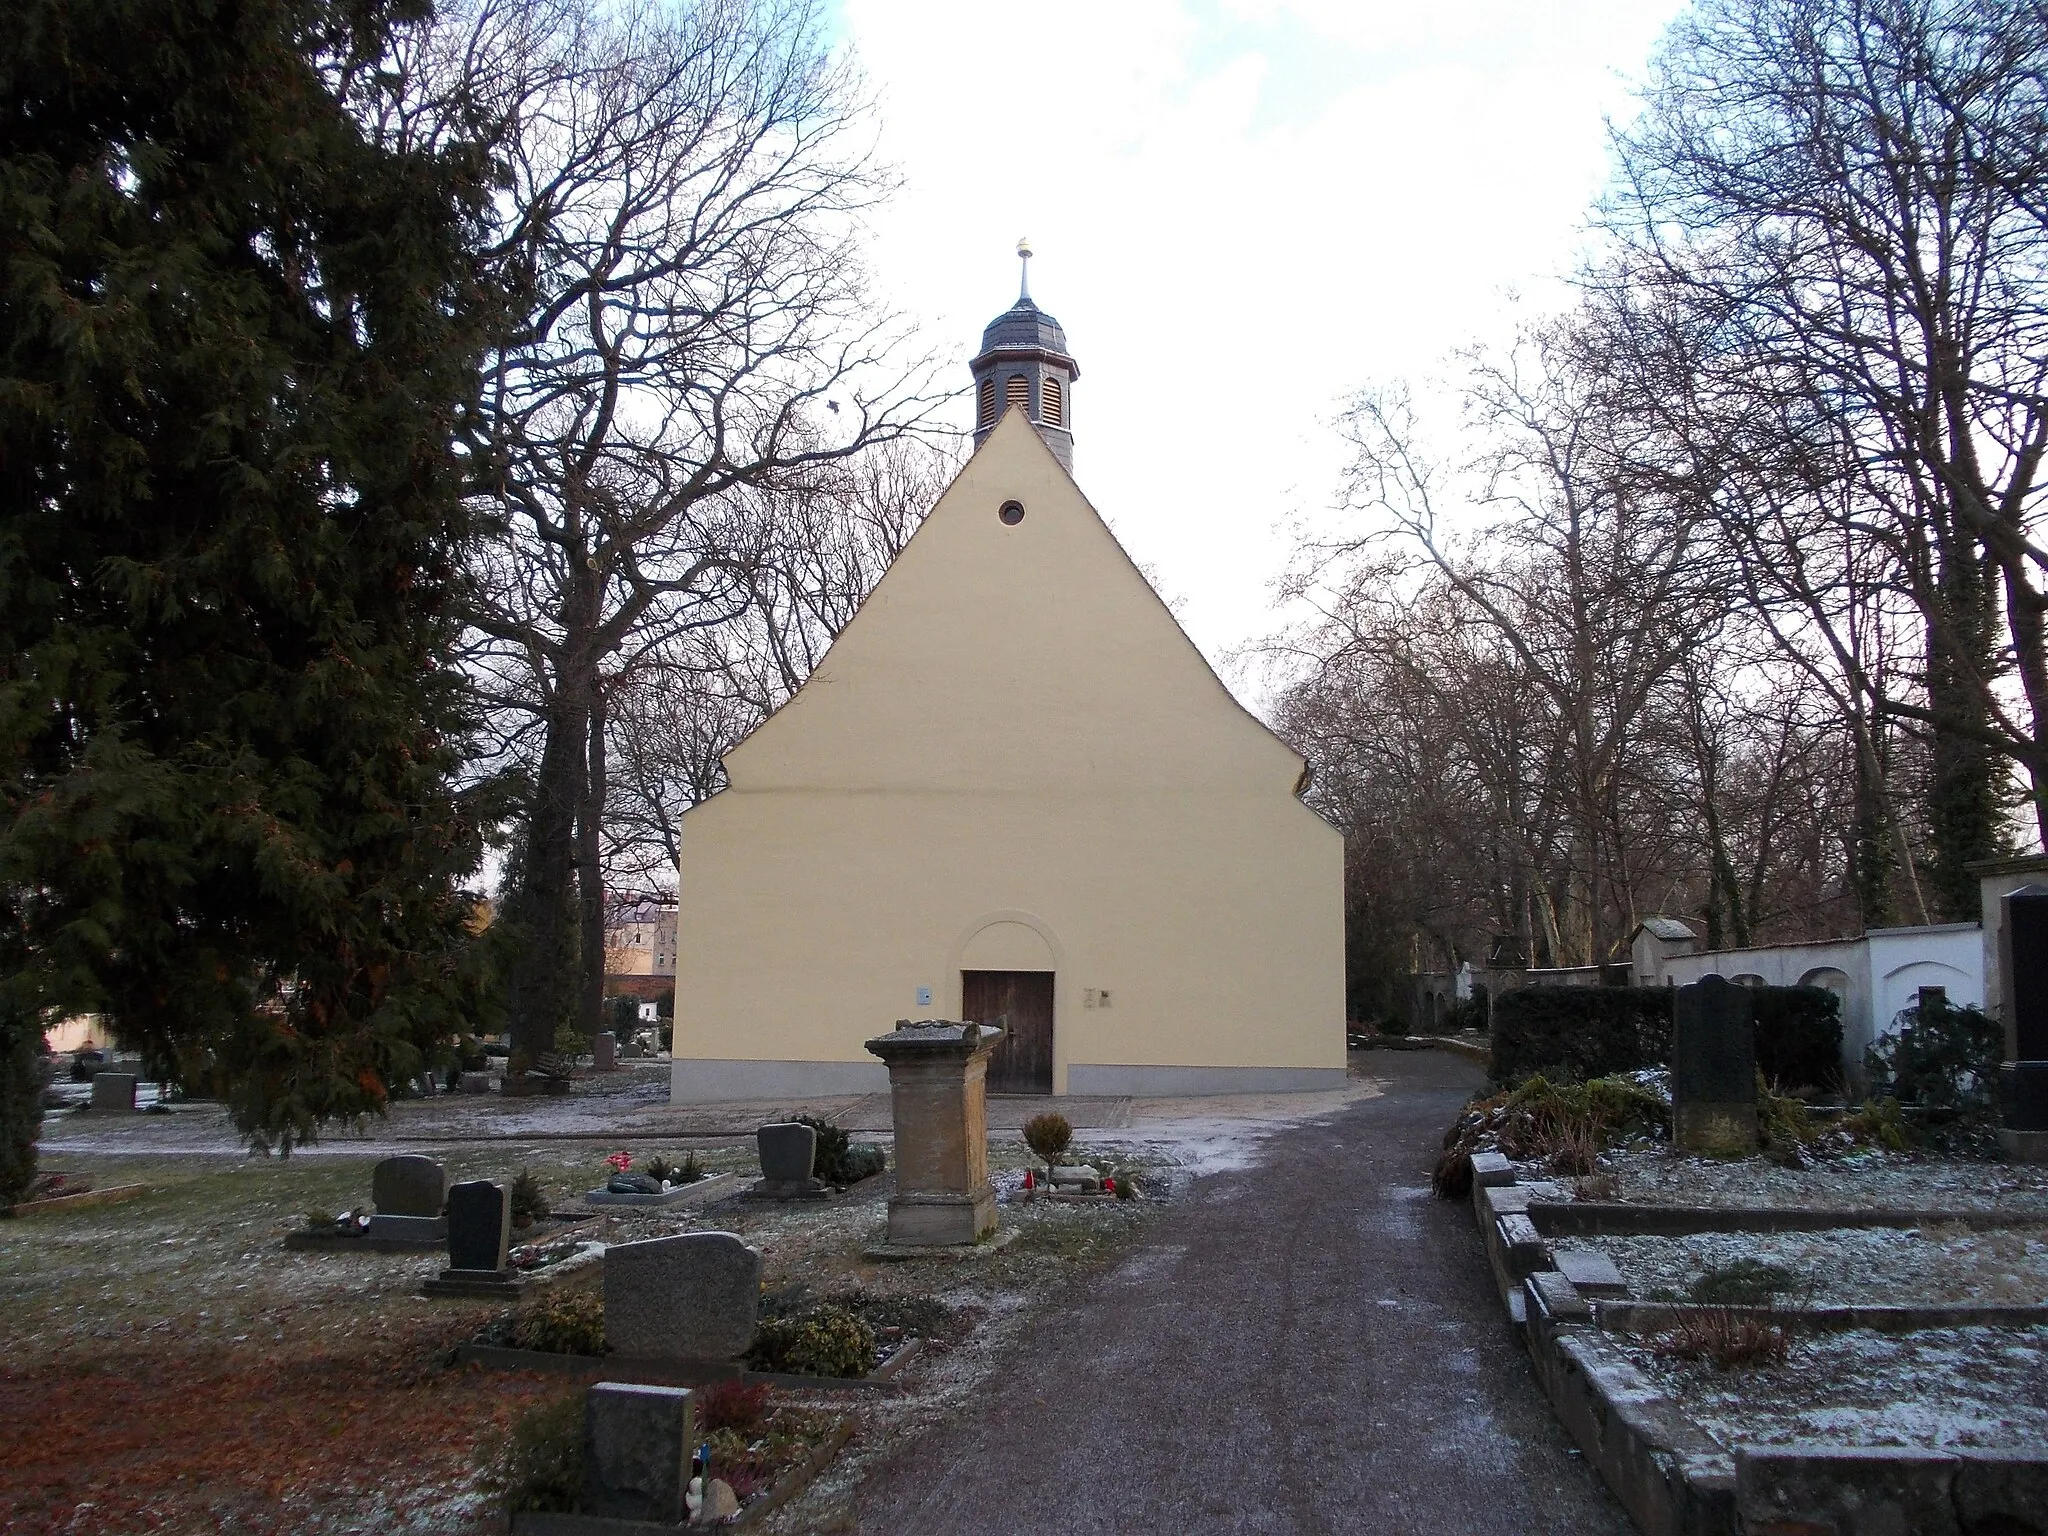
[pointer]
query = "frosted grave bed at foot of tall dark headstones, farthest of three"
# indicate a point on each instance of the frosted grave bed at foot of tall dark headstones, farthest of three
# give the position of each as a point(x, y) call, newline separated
point(1854, 1183)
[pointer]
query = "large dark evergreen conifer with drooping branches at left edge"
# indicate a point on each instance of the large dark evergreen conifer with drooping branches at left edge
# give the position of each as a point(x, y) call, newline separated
point(237, 337)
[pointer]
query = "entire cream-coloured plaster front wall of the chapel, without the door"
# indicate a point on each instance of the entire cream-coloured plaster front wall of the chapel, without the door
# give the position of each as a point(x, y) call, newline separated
point(1013, 761)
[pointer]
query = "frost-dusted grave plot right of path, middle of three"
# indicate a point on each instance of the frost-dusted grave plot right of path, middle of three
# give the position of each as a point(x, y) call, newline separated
point(1850, 1267)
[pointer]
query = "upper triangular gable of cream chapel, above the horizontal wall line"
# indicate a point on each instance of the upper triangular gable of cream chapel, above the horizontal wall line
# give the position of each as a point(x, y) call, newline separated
point(1002, 656)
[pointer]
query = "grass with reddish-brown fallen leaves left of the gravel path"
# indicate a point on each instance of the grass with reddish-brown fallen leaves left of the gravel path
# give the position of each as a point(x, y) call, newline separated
point(187, 1373)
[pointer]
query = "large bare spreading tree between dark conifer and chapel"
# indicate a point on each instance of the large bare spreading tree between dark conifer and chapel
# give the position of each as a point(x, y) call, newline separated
point(687, 321)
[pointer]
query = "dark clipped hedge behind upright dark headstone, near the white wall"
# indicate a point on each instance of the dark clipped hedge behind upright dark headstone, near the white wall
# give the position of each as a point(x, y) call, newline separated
point(1582, 1033)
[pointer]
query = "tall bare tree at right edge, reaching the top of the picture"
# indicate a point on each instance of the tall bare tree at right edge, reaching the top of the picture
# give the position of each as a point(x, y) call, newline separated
point(1846, 200)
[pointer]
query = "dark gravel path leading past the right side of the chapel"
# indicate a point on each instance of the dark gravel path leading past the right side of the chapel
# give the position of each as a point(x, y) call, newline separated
point(1310, 1345)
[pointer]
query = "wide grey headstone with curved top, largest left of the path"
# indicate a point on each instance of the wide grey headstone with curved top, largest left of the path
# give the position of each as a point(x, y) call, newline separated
point(689, 1297)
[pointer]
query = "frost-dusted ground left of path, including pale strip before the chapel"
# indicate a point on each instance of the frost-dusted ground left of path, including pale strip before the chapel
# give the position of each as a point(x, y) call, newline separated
point(189, 1375)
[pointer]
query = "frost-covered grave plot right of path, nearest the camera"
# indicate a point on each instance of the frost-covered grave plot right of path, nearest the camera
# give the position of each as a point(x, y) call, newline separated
point(1945, 1390)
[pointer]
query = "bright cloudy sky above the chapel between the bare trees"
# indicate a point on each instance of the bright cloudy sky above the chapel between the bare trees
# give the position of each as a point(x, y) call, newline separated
point(1242, 214)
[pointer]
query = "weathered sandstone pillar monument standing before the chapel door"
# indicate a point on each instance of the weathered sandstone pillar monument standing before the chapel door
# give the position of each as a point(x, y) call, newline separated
point(939, 1093)
